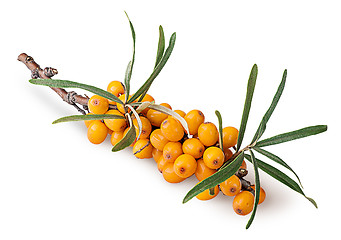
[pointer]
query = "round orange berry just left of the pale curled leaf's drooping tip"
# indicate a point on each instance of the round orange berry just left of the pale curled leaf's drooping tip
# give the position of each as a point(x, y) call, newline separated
point(172, 129)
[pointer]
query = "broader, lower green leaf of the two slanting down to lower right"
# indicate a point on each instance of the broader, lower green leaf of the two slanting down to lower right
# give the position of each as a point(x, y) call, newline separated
point(281, 177)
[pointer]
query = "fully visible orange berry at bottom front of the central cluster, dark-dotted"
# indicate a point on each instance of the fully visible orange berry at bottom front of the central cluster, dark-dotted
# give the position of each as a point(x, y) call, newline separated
point(185, 165)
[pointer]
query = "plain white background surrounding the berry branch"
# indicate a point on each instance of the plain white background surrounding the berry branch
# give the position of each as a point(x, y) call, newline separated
point(54, 184)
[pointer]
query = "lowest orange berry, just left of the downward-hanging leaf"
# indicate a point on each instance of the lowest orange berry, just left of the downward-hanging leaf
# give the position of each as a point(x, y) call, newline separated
point(243, 203)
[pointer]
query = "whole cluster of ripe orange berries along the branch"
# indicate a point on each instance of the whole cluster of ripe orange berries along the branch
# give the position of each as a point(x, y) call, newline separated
point(164, 139)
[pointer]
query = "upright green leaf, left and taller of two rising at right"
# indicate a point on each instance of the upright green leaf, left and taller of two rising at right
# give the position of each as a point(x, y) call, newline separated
point(247, 105)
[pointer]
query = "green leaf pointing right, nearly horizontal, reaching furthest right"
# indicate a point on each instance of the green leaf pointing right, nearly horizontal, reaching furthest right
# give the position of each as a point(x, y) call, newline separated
point(289, 136)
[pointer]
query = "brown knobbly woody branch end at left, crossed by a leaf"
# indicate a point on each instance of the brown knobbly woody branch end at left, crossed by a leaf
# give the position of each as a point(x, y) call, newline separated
point(71, 97)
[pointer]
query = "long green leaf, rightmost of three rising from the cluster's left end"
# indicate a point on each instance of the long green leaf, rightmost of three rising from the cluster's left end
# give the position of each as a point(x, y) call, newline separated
point(157, 70)
